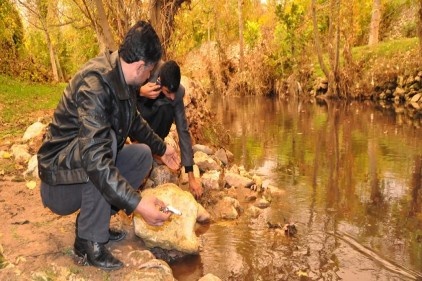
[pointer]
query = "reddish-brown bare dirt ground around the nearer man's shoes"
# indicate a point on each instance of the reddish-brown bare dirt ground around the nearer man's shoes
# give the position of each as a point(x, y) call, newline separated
point(36, 244)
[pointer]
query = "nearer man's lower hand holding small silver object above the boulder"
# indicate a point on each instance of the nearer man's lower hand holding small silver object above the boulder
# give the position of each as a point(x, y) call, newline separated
point(149, 209)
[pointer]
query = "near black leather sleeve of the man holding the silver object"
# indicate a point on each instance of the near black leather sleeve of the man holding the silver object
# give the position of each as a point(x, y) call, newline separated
point(95, 144)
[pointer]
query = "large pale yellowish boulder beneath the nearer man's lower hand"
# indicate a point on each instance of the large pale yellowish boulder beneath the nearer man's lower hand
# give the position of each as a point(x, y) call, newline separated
point(179, 232)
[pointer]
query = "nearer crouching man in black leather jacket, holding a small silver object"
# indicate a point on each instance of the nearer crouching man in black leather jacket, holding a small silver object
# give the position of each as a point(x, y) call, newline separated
point(84, 163)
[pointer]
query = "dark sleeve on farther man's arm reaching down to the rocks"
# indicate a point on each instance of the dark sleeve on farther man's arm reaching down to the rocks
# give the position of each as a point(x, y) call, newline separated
point(182, 128)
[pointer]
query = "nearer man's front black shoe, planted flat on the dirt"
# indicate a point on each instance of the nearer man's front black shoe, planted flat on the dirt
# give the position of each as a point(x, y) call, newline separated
point(96, 254)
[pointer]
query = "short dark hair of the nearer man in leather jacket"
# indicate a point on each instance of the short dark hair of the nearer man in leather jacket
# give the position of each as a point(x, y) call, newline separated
point(141, 43)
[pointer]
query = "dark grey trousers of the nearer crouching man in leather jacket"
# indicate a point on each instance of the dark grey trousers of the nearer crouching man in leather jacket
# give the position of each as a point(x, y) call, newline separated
point(134, 162)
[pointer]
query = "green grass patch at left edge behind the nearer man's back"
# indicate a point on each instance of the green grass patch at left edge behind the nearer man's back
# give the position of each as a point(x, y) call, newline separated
point(22, 103)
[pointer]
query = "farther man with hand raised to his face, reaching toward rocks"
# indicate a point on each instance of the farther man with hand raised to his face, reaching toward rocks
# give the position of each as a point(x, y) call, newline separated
point(161, 104)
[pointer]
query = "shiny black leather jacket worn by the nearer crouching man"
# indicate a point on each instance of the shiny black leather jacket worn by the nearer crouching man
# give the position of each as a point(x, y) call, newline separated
point(78, 145)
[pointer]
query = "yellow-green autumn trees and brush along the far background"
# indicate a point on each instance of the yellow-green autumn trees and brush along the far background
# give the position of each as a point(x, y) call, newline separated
point(244, 47)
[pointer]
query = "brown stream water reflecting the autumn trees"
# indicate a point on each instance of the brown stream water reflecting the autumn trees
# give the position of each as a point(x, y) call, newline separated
point(350, 179)
